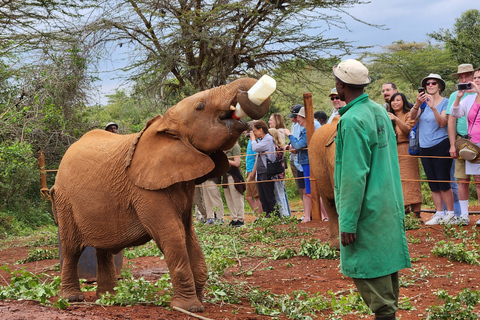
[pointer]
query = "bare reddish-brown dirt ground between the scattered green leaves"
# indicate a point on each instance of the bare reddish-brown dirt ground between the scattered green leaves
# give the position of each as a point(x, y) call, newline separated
point(428, 274)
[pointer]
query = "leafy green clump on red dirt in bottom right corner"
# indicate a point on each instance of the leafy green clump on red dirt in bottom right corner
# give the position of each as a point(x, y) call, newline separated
point(455, 308)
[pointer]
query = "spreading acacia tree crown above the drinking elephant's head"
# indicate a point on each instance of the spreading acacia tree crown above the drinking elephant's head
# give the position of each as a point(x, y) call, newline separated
point(200, 44)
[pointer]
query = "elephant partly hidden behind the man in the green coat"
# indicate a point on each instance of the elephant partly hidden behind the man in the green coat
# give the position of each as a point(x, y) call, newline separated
point(321, 150)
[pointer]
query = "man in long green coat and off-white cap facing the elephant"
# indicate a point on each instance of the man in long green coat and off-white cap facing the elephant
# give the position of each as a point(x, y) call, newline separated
point(368, 194)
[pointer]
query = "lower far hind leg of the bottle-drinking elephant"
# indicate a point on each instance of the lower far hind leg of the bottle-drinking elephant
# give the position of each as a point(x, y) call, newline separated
point(106, 275)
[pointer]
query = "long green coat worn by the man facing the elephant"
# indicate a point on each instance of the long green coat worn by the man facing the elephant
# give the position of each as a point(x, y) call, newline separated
point(368, 191)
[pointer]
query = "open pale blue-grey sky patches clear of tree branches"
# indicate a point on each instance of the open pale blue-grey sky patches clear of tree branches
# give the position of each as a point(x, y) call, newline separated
point(408, 20)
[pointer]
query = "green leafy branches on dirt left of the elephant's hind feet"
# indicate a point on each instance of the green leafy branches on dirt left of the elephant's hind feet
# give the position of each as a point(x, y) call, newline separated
point(26, 285)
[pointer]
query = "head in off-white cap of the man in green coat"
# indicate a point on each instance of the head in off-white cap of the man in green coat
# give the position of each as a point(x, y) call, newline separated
point(351, 77)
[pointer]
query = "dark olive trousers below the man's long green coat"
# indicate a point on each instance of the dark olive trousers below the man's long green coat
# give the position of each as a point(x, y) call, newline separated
point(380, 294)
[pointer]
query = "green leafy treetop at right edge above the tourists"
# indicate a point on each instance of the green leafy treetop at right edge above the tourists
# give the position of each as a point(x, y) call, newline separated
point(463, 41)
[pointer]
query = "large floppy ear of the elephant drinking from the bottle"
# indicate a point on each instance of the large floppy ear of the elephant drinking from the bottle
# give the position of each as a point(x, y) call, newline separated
point(157, 159)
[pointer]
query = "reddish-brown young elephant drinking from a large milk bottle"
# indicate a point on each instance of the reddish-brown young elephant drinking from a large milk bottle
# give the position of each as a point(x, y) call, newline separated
point(115, 191)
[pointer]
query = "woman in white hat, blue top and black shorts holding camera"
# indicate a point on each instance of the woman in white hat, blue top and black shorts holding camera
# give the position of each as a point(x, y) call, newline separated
point(431, 111)
